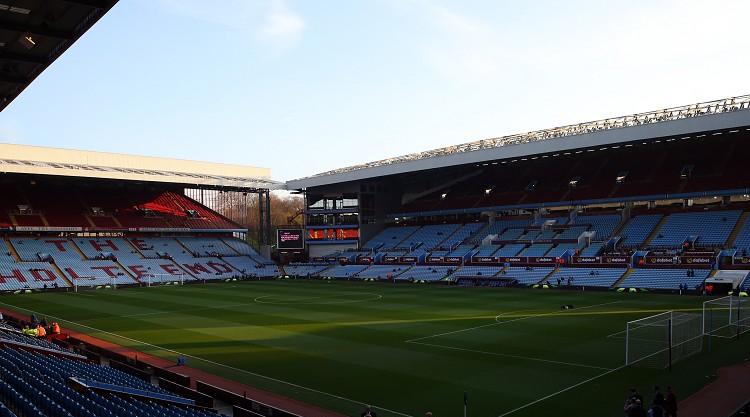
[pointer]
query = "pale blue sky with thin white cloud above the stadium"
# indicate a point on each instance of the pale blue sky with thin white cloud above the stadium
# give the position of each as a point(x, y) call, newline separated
point(307, 86)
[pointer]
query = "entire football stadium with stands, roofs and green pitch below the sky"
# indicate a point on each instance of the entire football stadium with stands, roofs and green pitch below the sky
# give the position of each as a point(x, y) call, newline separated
point(544, 273)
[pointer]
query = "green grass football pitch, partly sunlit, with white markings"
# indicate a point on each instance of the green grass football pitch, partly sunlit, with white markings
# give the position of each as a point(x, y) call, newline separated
point(405, 349)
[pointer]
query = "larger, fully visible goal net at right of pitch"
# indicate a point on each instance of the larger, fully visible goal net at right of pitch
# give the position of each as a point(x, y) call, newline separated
point(663, 339)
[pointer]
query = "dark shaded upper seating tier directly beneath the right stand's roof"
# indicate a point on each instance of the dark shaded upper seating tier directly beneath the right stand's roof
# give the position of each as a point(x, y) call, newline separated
point(649, 171)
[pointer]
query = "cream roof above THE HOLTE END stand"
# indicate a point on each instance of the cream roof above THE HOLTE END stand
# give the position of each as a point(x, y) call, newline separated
point(25, 159)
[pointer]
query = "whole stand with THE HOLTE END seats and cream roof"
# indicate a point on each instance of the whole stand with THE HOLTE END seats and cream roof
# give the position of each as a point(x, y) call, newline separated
point(73, 218)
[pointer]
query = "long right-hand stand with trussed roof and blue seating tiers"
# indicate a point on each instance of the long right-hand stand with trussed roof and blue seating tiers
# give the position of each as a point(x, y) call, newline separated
point(664, 188)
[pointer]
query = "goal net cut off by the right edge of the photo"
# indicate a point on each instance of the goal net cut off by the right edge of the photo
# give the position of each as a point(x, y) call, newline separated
point(726, 317)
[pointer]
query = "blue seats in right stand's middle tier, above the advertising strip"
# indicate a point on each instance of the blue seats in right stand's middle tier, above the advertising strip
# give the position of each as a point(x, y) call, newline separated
point(709, 228)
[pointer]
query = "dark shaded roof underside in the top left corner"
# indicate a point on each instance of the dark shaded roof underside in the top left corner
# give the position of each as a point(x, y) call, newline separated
point(33, 33)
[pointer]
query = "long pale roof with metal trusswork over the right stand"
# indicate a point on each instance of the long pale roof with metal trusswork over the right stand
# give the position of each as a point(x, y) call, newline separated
point(701, 117)
